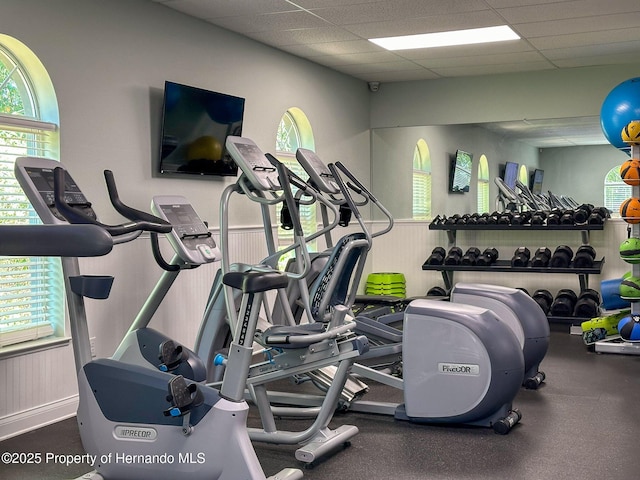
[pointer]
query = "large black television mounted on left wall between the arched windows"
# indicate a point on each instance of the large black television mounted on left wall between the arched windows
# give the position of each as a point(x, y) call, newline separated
point(195, 125)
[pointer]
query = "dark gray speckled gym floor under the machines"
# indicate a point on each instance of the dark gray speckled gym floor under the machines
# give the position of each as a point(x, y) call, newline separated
point(583, 423)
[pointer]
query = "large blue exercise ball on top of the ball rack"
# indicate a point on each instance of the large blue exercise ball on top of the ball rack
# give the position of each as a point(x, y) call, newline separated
point(621, 106)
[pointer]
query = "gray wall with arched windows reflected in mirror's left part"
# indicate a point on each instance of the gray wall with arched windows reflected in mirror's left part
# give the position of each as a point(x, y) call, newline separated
point(392, 154)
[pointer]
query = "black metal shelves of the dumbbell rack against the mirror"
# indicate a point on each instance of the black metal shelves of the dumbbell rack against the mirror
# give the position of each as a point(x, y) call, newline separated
point(504, 266)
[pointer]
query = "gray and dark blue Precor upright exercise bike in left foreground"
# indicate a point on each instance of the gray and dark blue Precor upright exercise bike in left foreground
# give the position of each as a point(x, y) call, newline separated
point(136, 421)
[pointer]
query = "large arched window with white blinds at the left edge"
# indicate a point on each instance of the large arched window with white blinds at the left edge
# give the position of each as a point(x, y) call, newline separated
point(32, 300)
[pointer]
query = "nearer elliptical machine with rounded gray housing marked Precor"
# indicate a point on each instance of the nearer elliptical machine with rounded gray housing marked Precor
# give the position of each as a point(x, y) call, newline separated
point(460, 363)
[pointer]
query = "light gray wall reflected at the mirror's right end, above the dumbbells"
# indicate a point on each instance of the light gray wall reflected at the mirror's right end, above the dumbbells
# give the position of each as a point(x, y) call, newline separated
point(579, 171)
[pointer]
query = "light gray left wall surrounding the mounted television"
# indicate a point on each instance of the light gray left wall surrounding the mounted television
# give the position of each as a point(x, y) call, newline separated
point(108, 61)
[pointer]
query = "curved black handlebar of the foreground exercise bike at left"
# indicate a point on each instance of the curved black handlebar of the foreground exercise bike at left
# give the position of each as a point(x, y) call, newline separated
point(121, 233)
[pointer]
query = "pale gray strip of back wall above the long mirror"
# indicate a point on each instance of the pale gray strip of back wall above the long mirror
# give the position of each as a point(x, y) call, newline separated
point(564, 93)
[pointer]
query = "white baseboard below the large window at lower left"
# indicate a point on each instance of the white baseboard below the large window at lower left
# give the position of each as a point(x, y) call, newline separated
point(37, 417)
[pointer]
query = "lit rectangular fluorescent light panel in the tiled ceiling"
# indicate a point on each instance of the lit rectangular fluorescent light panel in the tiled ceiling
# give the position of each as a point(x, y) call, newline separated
point(447, 39)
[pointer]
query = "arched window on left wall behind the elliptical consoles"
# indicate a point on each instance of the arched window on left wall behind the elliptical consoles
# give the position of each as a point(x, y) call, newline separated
point(294, 131)
